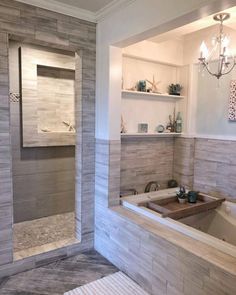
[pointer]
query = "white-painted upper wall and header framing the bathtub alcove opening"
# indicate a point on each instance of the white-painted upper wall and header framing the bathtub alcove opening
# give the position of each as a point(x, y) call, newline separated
point(137, 22)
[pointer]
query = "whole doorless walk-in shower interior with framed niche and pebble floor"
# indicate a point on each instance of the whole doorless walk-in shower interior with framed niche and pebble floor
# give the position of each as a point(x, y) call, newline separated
point(42, 115)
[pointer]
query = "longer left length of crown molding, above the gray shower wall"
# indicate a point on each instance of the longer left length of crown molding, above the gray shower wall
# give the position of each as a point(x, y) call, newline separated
point(62, 8)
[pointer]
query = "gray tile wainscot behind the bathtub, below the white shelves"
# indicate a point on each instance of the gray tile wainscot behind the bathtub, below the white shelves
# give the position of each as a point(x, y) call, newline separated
point(203, 164)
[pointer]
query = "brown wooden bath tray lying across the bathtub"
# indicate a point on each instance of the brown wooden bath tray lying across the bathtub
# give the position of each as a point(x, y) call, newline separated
point(170, 207)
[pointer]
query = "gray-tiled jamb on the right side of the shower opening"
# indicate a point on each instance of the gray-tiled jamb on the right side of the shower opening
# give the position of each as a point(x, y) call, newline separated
point(85, 143)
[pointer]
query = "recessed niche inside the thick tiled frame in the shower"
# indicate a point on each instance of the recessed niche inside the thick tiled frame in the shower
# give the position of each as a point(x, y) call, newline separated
point(55, 88)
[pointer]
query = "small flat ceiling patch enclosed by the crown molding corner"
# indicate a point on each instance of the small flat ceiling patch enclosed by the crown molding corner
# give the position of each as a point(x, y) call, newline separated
point(91, 5)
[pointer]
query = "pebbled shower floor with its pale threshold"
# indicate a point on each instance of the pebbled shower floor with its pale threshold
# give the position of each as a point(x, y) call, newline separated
point(53, 231)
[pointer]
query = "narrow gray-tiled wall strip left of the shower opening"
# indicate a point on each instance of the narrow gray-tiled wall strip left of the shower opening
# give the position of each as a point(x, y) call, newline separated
point(6, 199)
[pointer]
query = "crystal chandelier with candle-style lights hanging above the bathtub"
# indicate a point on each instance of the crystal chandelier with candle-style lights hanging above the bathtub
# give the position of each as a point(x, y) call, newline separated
point(220, 43)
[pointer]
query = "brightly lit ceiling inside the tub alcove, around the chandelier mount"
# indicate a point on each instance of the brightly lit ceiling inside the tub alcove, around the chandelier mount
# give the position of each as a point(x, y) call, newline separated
point(196, 26)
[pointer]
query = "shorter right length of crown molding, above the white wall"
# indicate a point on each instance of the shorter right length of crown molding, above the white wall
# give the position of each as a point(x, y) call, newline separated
point(110, 8)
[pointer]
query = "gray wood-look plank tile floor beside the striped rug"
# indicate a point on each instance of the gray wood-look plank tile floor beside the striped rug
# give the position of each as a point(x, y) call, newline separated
point(58, 277)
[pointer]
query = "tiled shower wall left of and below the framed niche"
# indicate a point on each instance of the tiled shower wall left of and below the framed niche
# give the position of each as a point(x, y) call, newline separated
point(50, 171)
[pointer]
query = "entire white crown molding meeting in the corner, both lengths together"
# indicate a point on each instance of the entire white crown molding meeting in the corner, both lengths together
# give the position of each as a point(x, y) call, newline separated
point(73, 11)
